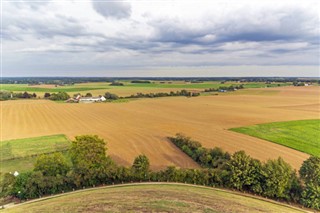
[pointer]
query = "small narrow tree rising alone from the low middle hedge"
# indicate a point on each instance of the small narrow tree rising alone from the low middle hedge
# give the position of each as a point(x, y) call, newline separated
point(141, 166)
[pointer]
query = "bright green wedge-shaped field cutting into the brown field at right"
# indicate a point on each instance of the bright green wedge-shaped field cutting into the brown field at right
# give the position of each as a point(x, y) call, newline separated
point(302, 135)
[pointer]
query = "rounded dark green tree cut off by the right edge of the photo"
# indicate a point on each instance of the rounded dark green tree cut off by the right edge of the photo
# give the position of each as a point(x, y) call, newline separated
point(310, 170)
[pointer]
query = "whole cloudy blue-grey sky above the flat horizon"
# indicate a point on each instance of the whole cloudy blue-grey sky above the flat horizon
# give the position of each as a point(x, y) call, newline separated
point(160, 38)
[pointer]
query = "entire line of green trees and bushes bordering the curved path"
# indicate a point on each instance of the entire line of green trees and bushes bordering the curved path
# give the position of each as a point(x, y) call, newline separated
point(88, 166)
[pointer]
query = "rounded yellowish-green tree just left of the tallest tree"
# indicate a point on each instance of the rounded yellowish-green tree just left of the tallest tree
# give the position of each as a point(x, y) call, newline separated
point(52, 164)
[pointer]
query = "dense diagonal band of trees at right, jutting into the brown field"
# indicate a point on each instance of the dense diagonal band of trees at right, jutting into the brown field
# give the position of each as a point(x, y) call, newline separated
point(273, 179)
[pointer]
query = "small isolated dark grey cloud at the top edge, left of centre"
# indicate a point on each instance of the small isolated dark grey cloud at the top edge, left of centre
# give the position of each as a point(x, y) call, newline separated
point(112, 9)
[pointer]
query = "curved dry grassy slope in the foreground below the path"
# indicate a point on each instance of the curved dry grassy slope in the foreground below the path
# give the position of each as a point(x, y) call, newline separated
point(152, 198)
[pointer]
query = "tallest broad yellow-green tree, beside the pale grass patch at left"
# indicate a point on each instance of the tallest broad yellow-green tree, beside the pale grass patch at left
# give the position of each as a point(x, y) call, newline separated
point(88, 156)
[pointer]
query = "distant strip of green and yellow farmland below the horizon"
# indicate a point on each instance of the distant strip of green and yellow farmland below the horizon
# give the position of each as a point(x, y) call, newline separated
point(100, 88)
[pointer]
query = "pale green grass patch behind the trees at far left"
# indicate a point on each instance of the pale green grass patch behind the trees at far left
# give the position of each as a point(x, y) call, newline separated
point(19, 155)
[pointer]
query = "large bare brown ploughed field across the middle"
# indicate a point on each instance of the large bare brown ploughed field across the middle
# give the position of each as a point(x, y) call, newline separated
point(142, 126)
